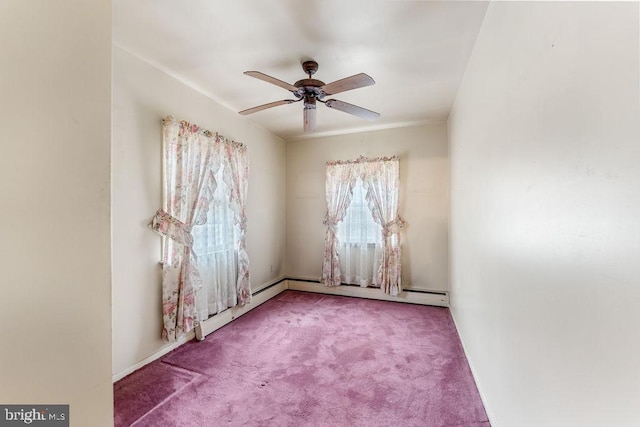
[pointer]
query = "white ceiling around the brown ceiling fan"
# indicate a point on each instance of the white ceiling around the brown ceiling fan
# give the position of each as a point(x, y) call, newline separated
point(416, 51)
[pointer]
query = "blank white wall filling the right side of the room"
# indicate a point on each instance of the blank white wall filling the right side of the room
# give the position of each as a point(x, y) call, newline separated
point(545, 189)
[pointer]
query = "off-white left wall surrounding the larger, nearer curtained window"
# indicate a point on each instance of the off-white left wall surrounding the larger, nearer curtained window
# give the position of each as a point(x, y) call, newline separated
point(142, 95)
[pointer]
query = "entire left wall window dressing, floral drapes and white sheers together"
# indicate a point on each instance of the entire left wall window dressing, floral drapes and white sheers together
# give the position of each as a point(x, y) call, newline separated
point(204, 250)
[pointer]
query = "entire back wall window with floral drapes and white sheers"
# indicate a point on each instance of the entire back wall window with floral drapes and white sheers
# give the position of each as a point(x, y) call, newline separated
point(351, 215)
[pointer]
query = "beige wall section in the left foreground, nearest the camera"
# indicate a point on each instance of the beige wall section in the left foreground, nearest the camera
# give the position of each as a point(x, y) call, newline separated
point(55, 308)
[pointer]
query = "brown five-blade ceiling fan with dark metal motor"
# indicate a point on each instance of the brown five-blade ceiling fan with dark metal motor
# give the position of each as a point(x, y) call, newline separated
point(311, 90)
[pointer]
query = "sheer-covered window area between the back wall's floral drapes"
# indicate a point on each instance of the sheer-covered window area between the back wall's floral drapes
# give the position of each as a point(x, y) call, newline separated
point(360, 240)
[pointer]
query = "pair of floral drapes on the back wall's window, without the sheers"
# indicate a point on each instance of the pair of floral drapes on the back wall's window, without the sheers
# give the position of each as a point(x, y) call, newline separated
point(381, 180)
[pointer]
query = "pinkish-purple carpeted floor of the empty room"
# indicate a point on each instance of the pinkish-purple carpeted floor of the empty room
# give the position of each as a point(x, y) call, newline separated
point(304, 359)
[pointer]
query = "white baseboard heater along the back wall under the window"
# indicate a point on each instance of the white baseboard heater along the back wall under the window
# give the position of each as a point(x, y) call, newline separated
point(407, 296)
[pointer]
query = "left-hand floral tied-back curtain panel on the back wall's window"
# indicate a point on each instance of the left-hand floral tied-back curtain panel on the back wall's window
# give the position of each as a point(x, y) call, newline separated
point(339, 189)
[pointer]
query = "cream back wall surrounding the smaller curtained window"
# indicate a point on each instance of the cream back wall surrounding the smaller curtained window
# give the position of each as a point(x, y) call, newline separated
point(424, 199)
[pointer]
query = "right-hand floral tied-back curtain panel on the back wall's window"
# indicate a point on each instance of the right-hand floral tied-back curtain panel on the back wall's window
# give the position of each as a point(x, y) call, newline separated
point(382, 183)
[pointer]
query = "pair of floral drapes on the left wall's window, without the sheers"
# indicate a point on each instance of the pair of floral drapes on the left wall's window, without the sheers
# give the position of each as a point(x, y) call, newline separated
point(192, 157)
